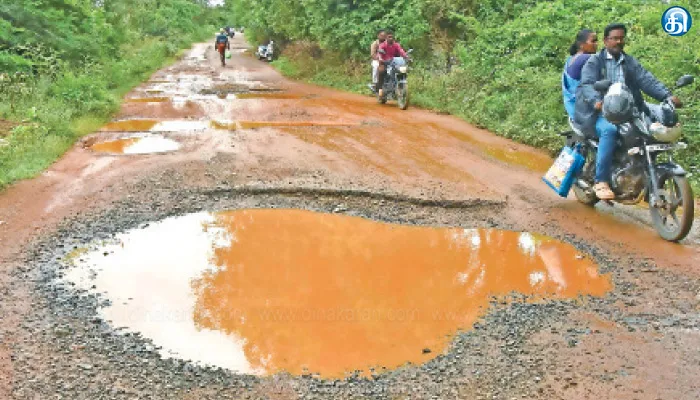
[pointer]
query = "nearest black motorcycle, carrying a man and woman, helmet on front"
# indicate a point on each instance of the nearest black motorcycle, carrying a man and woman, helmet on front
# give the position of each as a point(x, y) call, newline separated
point(638, 171)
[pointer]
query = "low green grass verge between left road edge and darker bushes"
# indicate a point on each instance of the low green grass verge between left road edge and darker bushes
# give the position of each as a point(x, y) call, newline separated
point(53, 112)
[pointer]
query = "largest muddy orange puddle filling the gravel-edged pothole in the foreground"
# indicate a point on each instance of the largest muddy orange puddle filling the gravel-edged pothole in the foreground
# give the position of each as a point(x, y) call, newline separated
point(263, 291)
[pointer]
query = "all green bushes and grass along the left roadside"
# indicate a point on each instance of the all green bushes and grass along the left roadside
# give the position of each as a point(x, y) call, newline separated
point(64, 66)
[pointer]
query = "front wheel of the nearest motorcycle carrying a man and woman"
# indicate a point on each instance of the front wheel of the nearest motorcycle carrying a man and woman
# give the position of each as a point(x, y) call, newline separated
point(674, 220)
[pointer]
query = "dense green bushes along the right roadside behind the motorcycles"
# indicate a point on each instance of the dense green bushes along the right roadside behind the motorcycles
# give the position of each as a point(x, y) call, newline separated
point(495, 63)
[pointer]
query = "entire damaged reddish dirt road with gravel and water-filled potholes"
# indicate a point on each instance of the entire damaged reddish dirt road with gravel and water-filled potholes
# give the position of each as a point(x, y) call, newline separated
point(233, 234)
